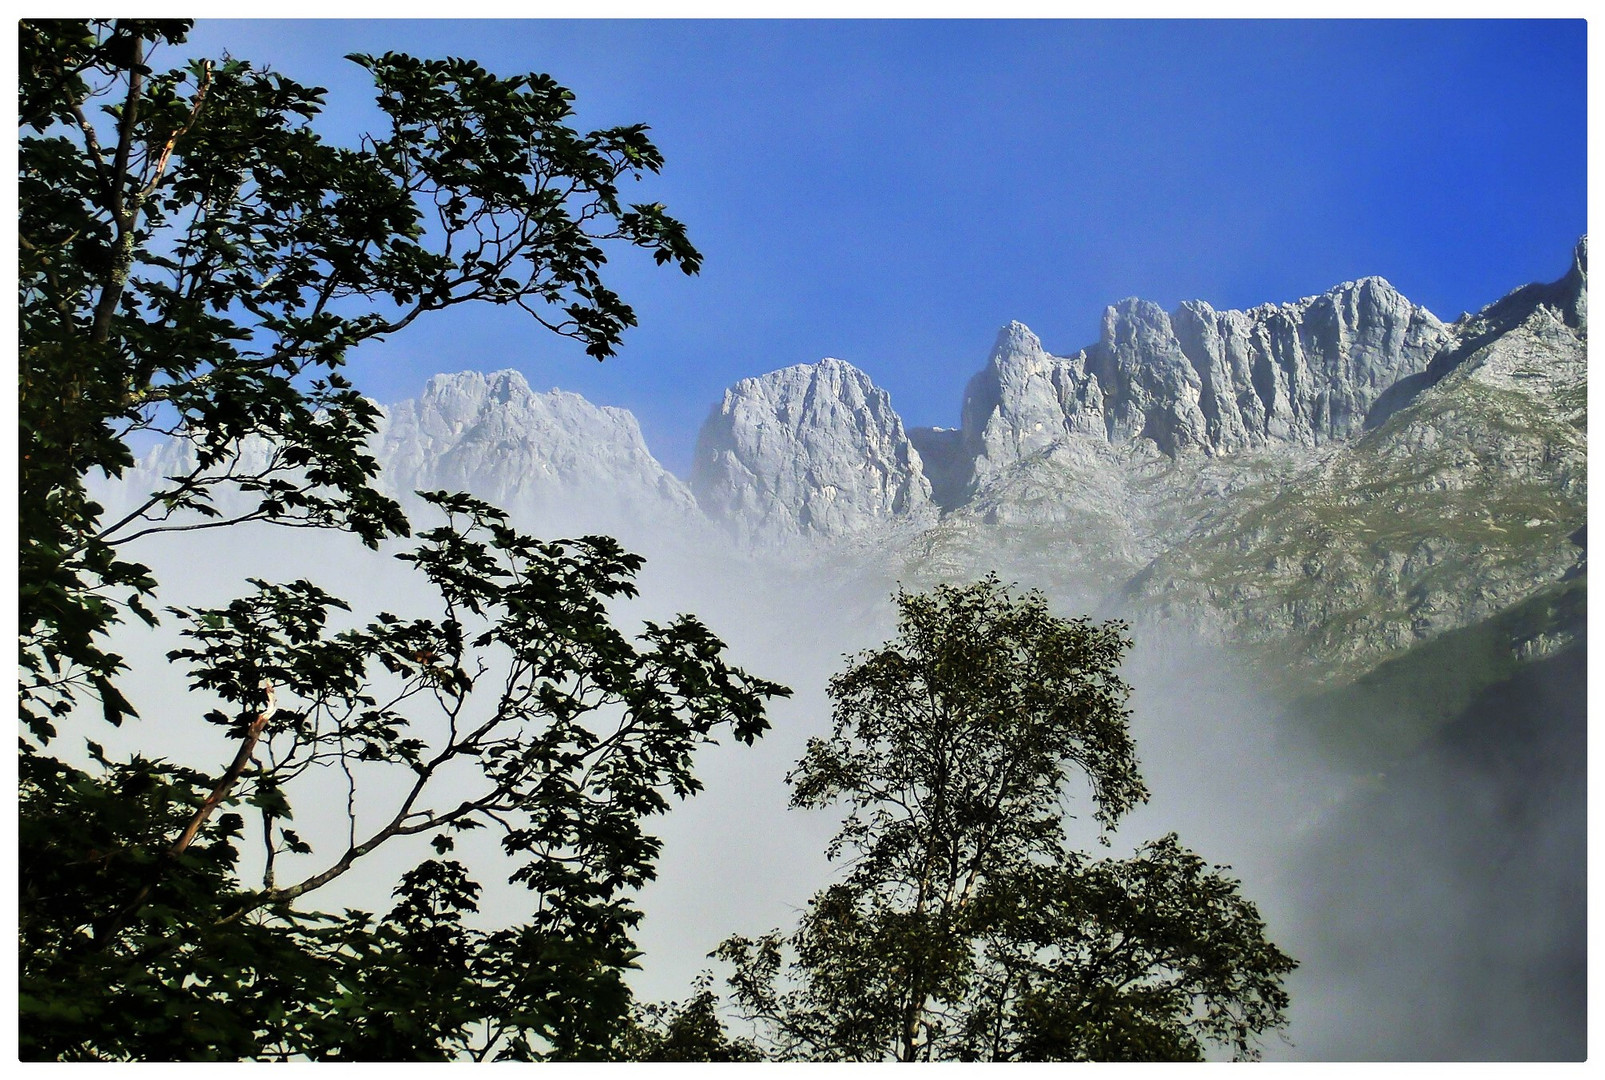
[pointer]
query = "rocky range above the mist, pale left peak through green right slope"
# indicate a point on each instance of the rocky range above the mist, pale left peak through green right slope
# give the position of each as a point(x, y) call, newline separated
point(1327, 484)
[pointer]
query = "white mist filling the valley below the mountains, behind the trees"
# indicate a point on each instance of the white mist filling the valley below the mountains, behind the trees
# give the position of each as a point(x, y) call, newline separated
point(1437, 907)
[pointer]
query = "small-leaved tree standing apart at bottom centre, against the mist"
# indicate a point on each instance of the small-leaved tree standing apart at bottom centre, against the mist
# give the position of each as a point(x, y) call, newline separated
point(965, 928)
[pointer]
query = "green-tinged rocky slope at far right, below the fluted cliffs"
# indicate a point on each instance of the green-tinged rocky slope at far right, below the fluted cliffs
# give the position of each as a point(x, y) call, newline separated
point(1465, 500)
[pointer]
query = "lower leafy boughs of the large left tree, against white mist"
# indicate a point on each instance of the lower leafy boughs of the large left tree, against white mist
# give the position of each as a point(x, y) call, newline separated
point(522, 710)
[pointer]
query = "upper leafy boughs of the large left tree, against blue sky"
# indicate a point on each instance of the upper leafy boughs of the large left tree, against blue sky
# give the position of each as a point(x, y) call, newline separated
point(197, 262)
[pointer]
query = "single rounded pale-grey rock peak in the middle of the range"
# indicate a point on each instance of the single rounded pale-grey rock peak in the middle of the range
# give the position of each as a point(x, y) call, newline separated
point(813, 450)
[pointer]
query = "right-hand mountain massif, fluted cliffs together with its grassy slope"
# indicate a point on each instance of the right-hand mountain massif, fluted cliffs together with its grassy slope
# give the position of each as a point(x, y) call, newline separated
point(1264, 482)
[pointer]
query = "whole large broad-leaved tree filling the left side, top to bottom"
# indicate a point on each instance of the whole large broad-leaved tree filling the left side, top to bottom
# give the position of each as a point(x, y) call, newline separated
point(197, 262)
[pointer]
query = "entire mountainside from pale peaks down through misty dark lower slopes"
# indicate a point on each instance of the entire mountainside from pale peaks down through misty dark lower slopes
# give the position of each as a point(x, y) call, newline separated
point(1379, 514)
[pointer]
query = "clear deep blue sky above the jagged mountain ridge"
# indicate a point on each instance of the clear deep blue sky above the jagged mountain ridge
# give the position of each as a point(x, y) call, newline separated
point(892, 193)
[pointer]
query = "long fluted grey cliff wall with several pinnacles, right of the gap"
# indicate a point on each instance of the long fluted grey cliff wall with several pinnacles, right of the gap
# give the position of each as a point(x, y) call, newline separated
point(1301, 375)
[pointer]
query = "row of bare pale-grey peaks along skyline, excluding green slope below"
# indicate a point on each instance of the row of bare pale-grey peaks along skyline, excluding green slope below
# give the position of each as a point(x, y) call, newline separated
point(818, 450)
